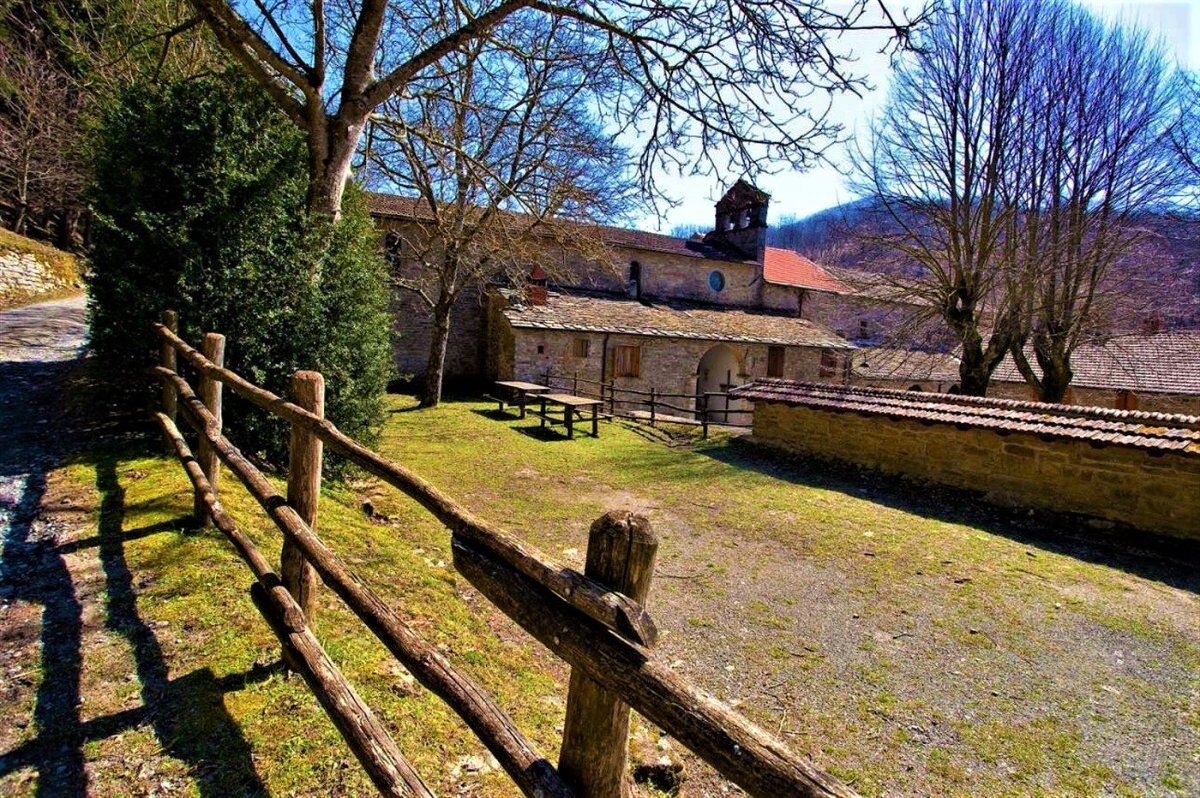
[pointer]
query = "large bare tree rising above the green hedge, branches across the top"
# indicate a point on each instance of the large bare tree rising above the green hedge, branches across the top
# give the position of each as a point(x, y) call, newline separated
point(711, 74)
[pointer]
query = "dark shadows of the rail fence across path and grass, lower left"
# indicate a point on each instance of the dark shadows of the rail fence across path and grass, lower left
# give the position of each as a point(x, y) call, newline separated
point(187, 713)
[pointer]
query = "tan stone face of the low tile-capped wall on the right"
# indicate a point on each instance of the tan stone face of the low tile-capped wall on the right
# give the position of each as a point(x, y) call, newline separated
point(1150, 490)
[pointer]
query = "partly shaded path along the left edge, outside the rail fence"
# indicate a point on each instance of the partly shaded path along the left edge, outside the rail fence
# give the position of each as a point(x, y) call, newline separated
point(40, 613)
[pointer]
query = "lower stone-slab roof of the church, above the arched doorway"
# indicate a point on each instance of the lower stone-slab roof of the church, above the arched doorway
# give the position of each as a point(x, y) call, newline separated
point(601, 313)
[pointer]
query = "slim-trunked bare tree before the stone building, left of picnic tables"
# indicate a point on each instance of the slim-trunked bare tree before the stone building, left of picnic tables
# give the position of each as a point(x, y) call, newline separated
point(505, 159)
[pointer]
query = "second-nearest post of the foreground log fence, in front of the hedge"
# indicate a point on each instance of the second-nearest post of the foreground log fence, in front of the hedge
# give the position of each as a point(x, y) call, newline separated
point(304, 489)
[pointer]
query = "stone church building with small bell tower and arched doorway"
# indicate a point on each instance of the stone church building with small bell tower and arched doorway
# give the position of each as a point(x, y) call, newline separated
point(679, 316)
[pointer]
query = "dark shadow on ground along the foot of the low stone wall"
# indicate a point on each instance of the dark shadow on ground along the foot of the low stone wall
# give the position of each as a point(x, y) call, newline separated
point(1162, 560)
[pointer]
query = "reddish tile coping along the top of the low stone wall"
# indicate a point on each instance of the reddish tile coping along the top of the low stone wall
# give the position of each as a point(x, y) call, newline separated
point(1099, 427)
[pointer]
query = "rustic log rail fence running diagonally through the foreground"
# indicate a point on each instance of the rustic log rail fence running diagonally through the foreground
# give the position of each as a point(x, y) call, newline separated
point(596, 621)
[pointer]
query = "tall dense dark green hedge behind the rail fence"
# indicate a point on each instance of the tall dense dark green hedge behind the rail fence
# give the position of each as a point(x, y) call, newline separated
point(200, 207)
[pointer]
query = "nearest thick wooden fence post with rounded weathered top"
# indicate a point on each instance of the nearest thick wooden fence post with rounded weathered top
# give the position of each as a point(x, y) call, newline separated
point(622, 549)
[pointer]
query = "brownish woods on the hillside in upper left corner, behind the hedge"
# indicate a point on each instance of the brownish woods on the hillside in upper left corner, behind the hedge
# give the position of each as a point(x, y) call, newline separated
point(59, 63)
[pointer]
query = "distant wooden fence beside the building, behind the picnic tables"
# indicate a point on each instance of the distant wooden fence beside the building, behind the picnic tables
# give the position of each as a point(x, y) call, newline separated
point(706, 409)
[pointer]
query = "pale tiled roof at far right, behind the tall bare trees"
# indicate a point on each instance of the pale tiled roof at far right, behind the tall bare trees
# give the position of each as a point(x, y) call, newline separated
point(1163, 363)
